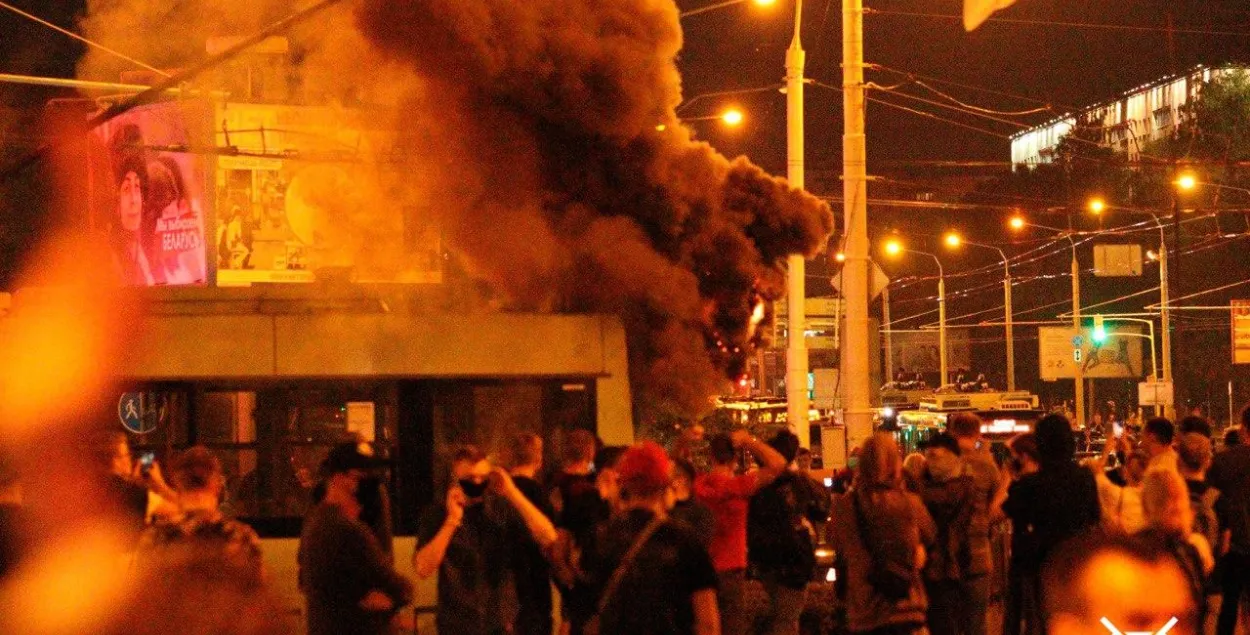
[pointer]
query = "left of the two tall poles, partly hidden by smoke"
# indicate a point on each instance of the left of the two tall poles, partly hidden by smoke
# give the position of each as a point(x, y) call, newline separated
point(797, 278)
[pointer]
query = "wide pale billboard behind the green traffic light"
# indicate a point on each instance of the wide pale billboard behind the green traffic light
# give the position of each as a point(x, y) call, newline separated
point(1118, 357)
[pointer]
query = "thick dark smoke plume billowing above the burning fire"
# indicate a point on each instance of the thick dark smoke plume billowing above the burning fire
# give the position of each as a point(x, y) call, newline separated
point(539, 128)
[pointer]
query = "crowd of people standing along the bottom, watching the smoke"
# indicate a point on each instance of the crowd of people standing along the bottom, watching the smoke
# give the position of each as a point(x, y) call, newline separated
point(1152, 537)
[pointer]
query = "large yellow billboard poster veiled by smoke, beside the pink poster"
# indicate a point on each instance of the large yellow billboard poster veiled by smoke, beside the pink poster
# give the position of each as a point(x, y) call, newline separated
point(306, 194)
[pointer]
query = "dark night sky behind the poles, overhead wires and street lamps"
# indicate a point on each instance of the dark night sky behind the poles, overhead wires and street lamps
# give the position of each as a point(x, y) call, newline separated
point(744, 48)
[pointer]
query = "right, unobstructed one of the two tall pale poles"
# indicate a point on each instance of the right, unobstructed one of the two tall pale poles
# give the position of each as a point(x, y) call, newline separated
point(856, 362)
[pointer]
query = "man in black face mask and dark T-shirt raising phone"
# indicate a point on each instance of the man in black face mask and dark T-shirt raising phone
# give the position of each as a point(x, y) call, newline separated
point(469, 543)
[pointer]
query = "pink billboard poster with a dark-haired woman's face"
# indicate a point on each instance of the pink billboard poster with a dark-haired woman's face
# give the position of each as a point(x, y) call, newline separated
point(149, 196)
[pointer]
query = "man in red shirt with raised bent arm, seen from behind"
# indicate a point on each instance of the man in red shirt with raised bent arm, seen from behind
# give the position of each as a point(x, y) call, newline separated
point(728, 494)
